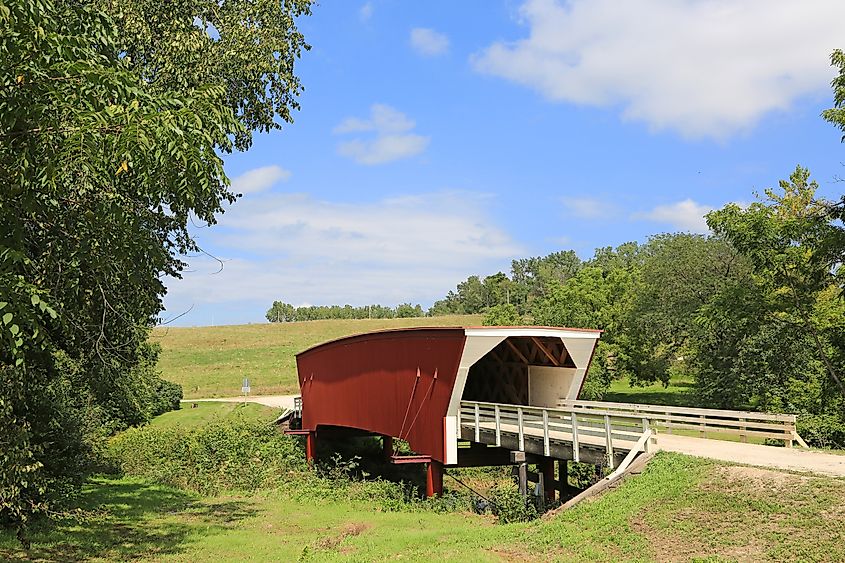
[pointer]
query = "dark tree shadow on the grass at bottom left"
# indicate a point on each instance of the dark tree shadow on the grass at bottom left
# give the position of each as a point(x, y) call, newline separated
point(127, 520)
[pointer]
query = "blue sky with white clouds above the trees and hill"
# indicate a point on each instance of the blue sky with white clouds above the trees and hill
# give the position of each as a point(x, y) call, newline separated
point(438, 140)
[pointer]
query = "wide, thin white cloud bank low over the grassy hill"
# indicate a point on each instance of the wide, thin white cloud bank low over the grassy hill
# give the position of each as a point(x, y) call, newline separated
point(307, 250)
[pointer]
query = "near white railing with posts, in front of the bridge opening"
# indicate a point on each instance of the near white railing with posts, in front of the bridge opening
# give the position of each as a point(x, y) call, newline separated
point(604, 429)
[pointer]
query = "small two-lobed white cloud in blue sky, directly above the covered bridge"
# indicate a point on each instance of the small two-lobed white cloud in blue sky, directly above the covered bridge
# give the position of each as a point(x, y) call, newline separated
point(393, 138)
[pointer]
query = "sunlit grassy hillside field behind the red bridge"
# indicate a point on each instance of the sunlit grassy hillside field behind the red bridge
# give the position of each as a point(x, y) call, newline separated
point(212, 361)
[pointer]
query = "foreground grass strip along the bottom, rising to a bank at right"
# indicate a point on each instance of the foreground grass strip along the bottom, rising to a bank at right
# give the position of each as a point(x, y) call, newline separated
point(680, 508)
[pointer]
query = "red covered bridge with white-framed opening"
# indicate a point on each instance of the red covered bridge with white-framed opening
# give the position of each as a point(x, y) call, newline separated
point(410, 384)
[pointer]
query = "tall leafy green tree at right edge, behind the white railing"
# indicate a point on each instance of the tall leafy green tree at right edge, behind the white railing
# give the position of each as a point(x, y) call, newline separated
point(774, 341)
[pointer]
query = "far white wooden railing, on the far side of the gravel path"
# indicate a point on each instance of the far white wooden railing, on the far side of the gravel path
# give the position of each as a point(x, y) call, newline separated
point(704, 422)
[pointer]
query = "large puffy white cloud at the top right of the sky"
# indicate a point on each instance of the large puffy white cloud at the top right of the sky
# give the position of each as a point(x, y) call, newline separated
point(706, 68)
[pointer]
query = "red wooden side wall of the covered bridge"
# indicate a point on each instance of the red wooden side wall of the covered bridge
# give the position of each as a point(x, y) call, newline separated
point(370, 382)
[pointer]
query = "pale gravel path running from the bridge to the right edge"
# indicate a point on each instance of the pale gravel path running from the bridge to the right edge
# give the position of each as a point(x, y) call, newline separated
point(793, 459)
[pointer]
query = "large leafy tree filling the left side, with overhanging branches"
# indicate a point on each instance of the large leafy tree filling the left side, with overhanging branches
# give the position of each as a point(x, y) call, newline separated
point(113, 118)
